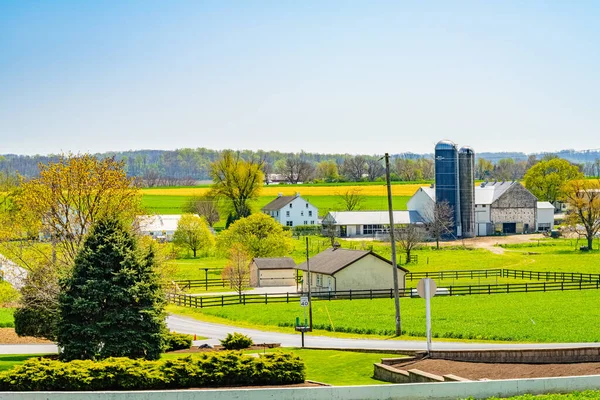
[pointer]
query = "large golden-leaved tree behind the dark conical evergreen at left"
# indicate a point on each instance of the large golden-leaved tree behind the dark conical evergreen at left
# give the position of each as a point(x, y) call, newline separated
point(70, 194)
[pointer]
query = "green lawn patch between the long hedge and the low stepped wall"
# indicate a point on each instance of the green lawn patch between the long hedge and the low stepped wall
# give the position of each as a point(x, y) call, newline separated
point(333, 366)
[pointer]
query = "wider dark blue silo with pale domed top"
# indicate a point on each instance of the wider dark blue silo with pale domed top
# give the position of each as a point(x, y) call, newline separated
point(446, 179)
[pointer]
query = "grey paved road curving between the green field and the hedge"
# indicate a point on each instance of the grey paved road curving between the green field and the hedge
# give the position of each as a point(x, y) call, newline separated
point(218, 331)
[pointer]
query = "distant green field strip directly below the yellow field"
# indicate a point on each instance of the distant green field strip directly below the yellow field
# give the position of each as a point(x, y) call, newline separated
point(173, 204)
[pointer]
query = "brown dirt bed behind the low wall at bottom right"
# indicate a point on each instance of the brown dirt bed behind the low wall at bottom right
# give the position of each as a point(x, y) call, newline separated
point(475, 371)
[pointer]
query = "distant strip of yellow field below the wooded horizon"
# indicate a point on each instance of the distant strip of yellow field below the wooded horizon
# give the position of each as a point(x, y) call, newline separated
point(376, 189)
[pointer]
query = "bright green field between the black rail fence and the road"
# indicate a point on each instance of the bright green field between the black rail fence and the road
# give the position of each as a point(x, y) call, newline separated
point(569, 316)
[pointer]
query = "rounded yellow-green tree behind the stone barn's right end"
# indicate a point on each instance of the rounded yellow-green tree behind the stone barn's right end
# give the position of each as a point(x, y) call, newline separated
point(547, 179)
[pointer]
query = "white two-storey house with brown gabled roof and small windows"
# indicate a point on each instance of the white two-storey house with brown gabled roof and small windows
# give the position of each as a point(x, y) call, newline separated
point(292, 211)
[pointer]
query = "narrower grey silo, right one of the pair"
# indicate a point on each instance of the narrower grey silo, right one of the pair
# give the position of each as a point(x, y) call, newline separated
point(466, 178)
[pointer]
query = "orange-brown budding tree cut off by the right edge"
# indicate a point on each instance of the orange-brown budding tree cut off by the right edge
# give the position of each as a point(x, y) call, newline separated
point(583, 197)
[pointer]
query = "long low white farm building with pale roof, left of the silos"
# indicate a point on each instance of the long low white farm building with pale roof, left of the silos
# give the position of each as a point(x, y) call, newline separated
point(367, 223)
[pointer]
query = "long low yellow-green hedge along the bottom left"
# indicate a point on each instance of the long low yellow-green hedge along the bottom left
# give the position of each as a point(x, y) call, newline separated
point(207, 370)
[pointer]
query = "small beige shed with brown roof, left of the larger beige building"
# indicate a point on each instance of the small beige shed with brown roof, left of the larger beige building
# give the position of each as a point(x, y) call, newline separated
point(265, 272)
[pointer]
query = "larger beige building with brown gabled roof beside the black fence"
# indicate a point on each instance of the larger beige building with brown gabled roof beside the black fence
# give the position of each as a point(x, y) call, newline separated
point(339, 269)
